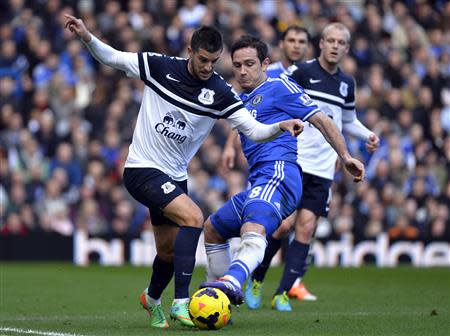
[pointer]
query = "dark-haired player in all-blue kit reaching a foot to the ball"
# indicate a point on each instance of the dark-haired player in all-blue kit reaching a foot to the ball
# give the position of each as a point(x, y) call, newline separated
point(275, 176)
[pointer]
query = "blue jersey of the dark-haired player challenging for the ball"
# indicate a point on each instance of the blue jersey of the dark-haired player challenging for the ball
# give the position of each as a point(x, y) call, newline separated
point(276, 99)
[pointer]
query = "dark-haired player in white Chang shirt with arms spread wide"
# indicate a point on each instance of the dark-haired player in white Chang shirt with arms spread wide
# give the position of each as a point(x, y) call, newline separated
point(181, 101)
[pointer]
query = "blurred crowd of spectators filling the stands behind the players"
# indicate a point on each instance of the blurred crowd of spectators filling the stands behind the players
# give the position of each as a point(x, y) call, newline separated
point(66, 121)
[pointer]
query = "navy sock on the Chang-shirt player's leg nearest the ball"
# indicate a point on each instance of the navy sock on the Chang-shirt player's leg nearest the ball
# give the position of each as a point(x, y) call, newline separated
point(184, 259)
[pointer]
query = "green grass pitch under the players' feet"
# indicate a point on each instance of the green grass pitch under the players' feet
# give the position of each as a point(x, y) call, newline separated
point(62, 299)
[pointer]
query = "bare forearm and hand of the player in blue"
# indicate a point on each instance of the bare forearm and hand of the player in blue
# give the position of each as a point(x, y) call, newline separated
point(334, 137)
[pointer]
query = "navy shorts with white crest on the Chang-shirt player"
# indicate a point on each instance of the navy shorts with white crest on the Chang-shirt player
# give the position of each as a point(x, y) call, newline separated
point(154, 189)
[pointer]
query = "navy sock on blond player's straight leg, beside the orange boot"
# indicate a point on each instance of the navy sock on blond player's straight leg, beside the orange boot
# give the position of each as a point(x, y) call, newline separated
point(294, 266)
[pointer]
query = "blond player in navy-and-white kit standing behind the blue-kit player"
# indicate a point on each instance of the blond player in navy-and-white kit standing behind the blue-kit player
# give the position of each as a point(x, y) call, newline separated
point(334, 92)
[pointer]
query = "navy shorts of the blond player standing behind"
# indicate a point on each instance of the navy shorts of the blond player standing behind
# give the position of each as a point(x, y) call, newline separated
point(316, 194)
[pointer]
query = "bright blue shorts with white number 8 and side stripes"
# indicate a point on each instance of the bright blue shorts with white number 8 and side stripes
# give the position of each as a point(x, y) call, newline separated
point(274, 193)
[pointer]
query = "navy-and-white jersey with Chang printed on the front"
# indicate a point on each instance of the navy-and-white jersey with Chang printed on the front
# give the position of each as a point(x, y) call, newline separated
point(177, 112)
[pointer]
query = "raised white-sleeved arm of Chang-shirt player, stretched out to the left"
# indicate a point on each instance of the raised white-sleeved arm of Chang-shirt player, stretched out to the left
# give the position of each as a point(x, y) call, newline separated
point(102, 52)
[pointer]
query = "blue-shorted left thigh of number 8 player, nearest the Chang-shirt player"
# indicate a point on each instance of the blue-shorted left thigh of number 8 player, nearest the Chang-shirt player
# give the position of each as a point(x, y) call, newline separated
point(227, 221)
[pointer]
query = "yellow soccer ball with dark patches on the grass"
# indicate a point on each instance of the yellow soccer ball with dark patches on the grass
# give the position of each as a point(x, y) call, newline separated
point(210, 308)
